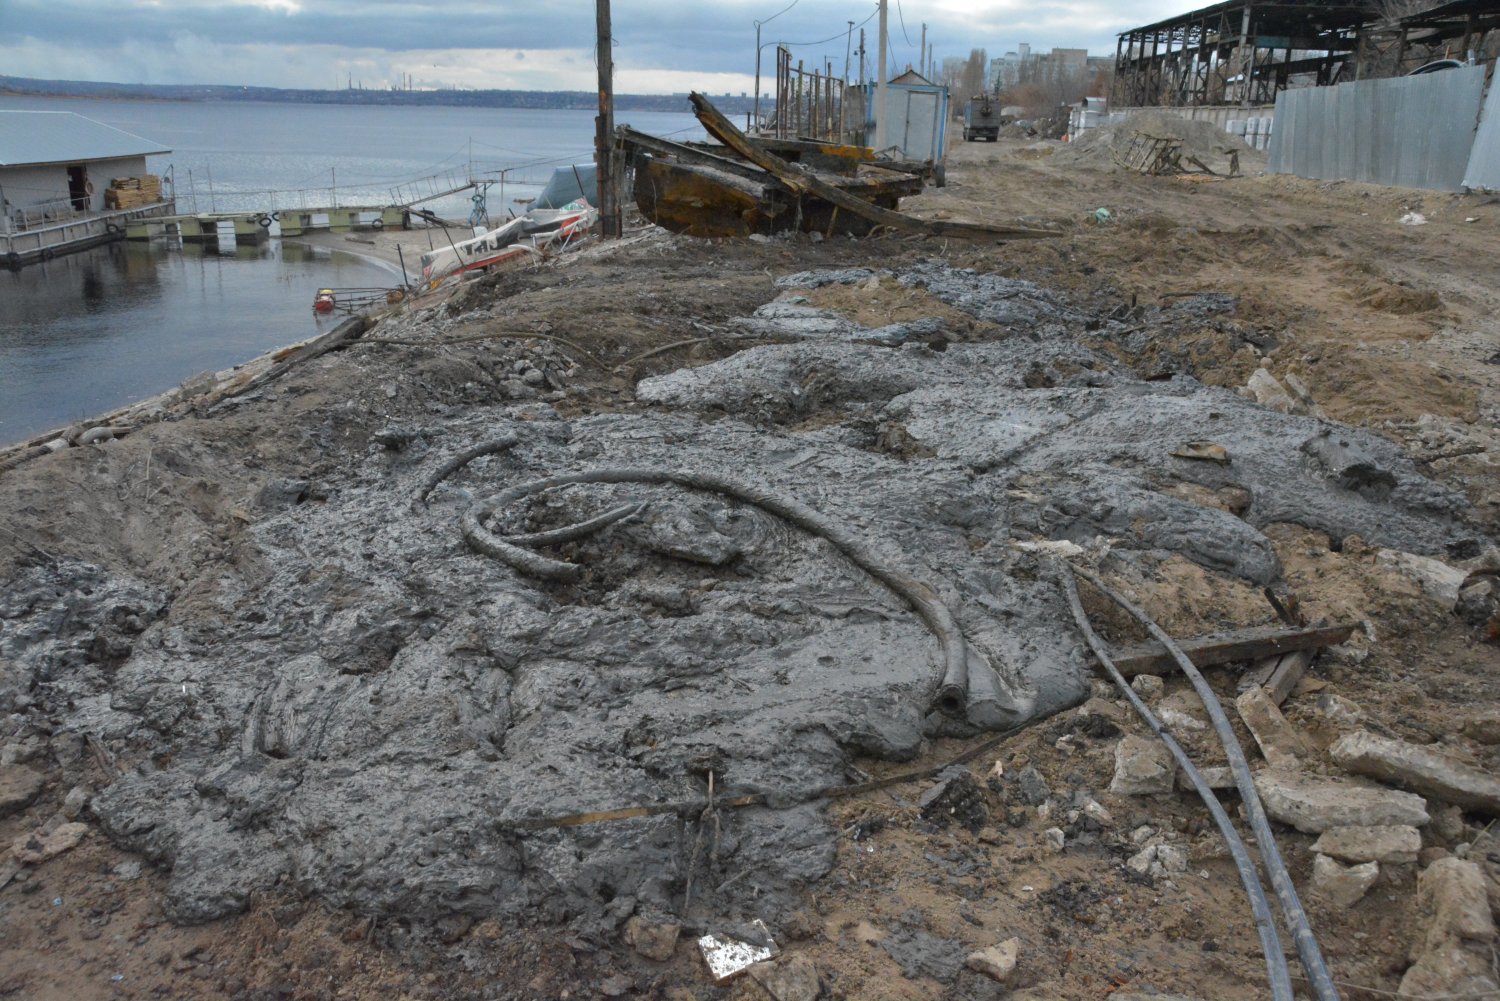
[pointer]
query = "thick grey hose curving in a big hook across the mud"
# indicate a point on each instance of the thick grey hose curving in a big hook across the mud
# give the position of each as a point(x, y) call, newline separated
point(952, 694)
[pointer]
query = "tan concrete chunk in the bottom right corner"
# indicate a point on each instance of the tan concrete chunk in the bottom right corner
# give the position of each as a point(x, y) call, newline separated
point(1454, 952)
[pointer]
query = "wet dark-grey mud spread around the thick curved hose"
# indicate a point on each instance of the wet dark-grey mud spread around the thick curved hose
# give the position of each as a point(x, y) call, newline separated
point(376, 705)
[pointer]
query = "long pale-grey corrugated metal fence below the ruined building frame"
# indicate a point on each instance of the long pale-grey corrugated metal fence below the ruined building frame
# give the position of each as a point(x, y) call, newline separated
point(1409, 131)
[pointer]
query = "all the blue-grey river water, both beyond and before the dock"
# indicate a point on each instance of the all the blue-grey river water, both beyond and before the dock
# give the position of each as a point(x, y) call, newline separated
point(95, 331)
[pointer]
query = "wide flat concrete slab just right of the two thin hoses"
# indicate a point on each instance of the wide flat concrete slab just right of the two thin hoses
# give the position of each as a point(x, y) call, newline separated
point(1315, 805)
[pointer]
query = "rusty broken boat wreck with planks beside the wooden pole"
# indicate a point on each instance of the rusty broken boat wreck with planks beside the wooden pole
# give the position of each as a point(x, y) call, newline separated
point(745, 187)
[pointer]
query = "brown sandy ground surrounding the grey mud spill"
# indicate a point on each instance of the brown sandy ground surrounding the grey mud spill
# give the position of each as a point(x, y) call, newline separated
point(1391, 328)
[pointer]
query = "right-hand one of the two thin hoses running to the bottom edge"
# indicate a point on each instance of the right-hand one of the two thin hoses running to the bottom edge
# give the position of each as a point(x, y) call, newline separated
point(1297, 919)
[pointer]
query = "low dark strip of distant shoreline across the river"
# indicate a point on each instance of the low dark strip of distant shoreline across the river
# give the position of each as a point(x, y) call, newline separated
point(541, 100)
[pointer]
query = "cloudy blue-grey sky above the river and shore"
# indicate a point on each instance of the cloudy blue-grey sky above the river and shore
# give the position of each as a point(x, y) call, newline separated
point(661, 46)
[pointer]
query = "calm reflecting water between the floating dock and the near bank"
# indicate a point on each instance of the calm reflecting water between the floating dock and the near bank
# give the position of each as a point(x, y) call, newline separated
point(91, 332)
